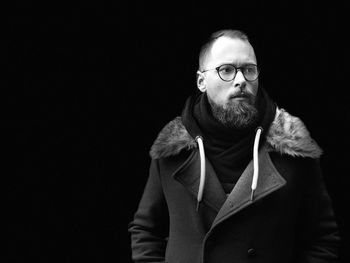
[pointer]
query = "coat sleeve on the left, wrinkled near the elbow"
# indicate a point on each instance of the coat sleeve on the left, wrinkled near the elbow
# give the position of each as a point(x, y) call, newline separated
point(149, 227)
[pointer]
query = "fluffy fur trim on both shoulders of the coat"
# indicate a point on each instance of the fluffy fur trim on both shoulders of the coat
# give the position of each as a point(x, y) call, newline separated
point(287, 135)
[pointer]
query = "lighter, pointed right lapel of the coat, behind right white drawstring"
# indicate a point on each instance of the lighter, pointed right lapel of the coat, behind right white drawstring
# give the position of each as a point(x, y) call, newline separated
point(269, 181)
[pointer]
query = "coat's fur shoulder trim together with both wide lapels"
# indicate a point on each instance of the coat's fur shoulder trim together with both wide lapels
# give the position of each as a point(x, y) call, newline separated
point(287, 135)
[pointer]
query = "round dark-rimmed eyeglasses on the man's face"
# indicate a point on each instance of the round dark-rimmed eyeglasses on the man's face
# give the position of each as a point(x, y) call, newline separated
point(227, 72)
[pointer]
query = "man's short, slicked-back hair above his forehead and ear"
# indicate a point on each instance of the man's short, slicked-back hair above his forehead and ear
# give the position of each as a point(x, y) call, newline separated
point(206, 47)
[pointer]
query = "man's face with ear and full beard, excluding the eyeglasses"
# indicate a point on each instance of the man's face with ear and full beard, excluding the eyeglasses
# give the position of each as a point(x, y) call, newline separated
point(233, 102)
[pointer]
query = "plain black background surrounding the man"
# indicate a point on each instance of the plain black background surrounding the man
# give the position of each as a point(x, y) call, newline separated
point(89, 85)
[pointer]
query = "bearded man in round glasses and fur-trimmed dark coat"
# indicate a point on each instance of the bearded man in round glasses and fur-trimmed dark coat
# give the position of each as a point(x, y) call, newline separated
point(235, 178)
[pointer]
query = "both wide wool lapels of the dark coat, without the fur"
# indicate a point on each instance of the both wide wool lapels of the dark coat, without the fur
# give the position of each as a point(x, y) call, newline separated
point(188, 174)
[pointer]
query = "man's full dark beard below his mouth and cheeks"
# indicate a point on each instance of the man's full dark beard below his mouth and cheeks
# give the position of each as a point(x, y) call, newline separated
point(239, 114)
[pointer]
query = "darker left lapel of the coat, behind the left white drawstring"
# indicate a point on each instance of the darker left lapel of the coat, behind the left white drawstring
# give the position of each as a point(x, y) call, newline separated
point(188, 174)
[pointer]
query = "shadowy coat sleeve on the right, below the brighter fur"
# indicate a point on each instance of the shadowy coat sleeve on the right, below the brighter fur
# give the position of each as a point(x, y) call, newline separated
point(318, 236)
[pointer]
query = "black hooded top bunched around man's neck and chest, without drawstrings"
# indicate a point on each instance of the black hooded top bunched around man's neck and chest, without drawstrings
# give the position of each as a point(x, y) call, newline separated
point(228, 149)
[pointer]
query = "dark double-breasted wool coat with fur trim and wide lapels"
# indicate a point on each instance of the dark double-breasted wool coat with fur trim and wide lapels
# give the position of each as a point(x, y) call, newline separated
point(289, 220)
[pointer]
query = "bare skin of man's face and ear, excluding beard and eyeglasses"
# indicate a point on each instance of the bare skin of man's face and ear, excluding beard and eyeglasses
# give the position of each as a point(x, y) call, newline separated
point(228, 51)
